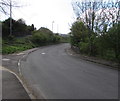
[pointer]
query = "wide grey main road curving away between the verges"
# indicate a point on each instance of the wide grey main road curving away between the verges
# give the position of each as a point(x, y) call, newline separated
point(54, 74)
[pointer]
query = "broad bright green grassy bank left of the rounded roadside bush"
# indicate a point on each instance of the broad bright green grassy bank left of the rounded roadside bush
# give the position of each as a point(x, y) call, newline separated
point(16, 45)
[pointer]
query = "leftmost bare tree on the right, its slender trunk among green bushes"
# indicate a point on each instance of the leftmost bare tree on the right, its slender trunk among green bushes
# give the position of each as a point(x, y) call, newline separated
point(86, 12)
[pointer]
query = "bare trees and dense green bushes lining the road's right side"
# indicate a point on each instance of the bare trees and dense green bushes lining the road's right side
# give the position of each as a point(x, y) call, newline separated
point(97, 29)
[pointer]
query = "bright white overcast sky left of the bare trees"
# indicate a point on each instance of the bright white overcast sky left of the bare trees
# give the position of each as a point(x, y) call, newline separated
point(42, 13)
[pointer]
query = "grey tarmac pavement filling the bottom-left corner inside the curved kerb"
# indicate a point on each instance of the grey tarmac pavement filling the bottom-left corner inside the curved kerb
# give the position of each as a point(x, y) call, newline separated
point(12, 87)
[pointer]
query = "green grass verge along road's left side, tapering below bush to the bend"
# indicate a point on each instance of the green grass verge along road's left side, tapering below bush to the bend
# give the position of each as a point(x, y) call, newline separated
point(23, 43)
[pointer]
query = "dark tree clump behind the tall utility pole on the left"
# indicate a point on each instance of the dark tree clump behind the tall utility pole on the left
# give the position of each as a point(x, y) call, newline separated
point(19, 28)
